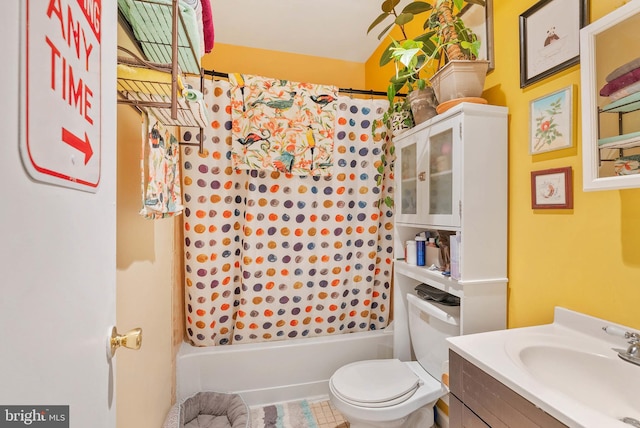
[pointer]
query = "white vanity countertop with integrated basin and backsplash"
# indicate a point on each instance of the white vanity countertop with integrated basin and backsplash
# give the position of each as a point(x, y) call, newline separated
point(570, 368)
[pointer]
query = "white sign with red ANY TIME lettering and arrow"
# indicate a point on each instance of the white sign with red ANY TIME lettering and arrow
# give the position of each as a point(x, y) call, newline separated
point(60, 86)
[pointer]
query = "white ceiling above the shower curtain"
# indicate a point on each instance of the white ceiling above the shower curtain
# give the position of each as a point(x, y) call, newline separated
point(325, 28)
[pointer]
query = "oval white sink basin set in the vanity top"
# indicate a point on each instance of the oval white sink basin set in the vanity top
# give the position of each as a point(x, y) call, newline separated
point(584, 369)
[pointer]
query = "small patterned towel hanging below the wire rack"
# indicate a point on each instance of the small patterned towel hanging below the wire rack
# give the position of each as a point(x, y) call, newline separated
point(161, 194)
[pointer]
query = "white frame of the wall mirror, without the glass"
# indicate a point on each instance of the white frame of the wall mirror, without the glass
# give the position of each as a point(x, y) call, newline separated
point(590, 94)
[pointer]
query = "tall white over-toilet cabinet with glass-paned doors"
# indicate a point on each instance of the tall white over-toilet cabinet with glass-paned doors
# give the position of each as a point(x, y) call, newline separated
point(451, 175)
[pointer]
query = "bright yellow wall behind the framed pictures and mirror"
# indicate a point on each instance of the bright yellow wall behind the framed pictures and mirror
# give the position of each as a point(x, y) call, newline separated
point(586, 259)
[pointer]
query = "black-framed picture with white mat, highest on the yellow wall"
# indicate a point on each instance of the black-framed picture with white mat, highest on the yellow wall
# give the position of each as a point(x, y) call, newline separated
point(550, 38)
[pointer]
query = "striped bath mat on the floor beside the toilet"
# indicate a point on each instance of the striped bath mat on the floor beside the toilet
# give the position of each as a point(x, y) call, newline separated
point(295, 414)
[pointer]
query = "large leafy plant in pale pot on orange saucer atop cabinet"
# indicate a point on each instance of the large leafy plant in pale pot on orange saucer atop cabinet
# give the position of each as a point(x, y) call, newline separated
point(446, 40)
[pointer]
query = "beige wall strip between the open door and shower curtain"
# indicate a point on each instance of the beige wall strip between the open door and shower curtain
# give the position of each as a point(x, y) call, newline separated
point(146, 288)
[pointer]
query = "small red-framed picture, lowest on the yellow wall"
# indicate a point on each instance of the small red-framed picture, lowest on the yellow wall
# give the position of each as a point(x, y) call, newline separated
point(552, 188)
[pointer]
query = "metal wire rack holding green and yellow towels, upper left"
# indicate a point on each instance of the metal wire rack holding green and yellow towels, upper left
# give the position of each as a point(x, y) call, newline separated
point(169, 39)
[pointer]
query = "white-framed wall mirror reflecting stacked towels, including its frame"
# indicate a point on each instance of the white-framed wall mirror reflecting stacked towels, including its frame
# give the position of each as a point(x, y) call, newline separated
point(610, 90)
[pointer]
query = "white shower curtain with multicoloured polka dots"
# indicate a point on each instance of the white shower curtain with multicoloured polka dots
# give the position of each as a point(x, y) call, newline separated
point(273, 256)
